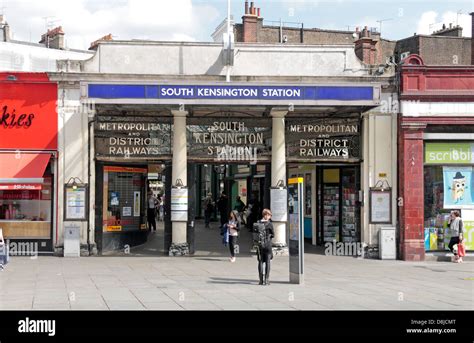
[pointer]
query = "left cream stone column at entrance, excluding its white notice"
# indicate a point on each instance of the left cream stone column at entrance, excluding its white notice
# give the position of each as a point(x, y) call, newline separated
point(179, 244)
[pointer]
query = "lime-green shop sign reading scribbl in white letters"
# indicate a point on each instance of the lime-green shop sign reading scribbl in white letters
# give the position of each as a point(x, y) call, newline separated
point(449, 153)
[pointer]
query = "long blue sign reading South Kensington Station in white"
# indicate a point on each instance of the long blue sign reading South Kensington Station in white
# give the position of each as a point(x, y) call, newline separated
point(231, 92)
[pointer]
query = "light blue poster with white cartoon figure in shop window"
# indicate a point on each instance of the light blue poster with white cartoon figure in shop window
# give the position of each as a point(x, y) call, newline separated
point(458, 187)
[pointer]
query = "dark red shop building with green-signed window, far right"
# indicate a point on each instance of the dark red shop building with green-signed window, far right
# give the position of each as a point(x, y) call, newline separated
point(435, 124)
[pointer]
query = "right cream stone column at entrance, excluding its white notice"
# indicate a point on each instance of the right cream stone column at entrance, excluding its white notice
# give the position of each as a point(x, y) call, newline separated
point(279, 173)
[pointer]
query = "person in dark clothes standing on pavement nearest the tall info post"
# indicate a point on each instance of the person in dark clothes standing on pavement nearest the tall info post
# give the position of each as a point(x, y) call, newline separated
point(264, 233)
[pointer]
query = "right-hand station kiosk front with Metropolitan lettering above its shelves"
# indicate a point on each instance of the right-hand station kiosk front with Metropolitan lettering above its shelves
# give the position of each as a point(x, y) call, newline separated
point(326, 153)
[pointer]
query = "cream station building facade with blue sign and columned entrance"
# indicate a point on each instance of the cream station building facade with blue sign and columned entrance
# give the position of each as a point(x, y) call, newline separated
point(311, 111)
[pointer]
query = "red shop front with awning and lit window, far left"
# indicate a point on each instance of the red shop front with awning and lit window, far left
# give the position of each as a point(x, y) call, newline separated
point(28, 162)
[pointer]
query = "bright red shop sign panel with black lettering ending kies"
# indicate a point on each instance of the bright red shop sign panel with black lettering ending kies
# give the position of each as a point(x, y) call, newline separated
point(28, 116)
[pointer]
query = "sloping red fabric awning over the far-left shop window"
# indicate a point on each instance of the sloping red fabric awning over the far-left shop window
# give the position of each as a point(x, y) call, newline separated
point(19, 167)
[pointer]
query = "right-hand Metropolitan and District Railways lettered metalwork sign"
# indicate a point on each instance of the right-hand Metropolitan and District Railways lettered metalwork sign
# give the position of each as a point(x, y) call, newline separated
point(317, 139)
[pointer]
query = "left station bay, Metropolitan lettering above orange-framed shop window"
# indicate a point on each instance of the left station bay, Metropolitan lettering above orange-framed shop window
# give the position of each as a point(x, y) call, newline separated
point(129, 153)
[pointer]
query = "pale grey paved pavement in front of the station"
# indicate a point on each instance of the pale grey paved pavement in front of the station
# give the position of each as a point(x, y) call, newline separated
point(148, 280)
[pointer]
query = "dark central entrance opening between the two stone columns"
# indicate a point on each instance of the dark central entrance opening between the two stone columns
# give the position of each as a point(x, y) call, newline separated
point(247, 183)
